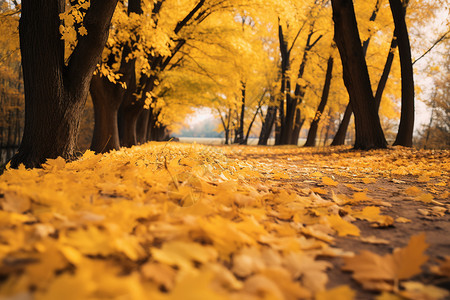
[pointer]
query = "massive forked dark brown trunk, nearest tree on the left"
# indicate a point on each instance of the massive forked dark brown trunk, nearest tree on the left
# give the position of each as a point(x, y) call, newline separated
point(55, 94)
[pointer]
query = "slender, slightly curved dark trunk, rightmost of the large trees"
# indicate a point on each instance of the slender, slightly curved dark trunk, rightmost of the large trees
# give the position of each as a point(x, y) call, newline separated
point(406, 126)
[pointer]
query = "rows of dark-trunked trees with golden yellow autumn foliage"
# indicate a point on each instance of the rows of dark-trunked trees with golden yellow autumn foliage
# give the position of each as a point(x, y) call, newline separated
point(272, 67)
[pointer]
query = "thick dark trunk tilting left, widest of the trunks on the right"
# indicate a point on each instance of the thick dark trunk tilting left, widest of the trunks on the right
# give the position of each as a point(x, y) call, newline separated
point(369, 133)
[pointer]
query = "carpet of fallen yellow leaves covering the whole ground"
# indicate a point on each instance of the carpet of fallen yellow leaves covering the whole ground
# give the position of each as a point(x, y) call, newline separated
point(178, 221)
